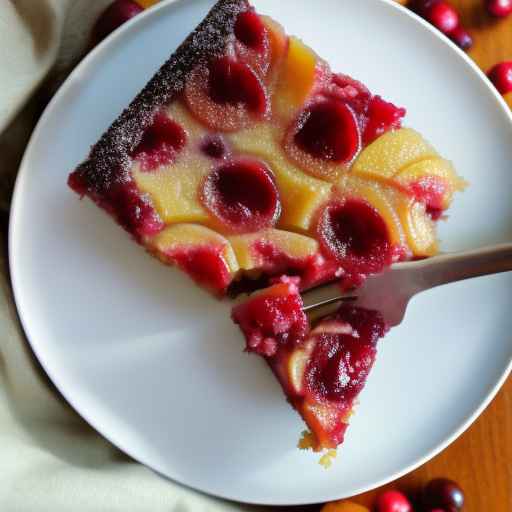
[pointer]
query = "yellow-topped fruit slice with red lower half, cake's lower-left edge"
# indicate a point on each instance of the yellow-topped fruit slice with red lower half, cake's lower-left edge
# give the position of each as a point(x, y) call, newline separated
point(200, 252)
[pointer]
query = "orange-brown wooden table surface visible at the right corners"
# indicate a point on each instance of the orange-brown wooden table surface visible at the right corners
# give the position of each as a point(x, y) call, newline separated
point(481, 459)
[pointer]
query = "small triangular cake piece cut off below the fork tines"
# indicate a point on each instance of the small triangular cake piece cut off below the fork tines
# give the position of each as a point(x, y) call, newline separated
point(321, 370)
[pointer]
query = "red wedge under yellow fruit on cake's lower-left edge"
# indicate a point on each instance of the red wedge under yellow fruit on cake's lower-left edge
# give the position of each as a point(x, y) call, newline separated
point(205, 265)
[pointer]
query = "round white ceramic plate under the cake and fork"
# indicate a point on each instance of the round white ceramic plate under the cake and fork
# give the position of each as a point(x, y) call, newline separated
point(156, 366)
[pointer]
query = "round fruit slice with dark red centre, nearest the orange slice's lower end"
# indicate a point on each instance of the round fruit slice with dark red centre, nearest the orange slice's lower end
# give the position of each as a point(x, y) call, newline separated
point(325, 139)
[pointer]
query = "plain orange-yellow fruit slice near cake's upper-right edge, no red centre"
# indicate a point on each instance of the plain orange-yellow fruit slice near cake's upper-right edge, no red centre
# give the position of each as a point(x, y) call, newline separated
point(296, 81)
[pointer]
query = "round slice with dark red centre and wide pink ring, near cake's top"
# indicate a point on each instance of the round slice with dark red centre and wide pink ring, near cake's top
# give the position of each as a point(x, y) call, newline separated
point(226, 95)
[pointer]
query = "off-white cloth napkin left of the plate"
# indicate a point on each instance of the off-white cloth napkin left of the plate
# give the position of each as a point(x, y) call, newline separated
point(50, 459)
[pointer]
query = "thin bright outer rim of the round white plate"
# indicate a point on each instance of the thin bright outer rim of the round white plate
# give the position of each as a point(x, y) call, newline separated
point(88, 60)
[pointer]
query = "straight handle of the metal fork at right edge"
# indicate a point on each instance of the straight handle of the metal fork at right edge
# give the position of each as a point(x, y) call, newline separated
point(447, 268)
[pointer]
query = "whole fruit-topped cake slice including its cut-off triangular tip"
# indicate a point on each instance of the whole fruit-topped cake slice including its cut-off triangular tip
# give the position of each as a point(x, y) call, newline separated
point(247, 161)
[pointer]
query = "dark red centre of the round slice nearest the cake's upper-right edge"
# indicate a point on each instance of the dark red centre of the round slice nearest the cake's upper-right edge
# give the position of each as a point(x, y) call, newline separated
point(328, 130)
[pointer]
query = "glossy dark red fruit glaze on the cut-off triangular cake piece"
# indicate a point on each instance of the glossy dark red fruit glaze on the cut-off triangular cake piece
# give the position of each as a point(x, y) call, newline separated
point(340, 363)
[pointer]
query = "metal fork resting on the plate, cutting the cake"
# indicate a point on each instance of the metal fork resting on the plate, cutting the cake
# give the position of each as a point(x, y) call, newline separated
point(391, 291)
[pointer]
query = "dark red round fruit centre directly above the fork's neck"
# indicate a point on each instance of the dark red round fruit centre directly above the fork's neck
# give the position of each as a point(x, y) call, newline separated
point(353, 232)
